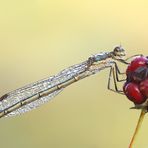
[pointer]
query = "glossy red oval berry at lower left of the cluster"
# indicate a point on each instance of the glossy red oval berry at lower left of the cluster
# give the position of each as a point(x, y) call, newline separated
point(133, 93)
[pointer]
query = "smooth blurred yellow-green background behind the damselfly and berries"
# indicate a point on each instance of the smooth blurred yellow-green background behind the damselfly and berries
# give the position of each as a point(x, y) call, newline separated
point(38, 38)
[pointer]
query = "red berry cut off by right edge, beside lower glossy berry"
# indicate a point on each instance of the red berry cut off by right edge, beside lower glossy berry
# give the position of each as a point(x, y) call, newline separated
point(144, 87)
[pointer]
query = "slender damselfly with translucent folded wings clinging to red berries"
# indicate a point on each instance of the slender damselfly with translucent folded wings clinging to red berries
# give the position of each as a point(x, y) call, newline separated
point(33, 95)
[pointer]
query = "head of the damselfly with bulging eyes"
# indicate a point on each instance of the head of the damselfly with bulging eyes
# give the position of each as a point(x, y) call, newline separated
point(119, 52)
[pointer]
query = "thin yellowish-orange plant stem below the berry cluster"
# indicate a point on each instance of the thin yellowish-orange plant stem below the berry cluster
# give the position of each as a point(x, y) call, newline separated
point(141, 117)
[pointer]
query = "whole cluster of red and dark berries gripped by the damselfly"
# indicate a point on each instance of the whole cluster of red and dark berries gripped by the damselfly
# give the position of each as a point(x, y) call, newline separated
point(136, 85)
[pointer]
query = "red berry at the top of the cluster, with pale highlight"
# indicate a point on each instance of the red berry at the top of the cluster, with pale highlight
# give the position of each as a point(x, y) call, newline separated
point(136, 62)
